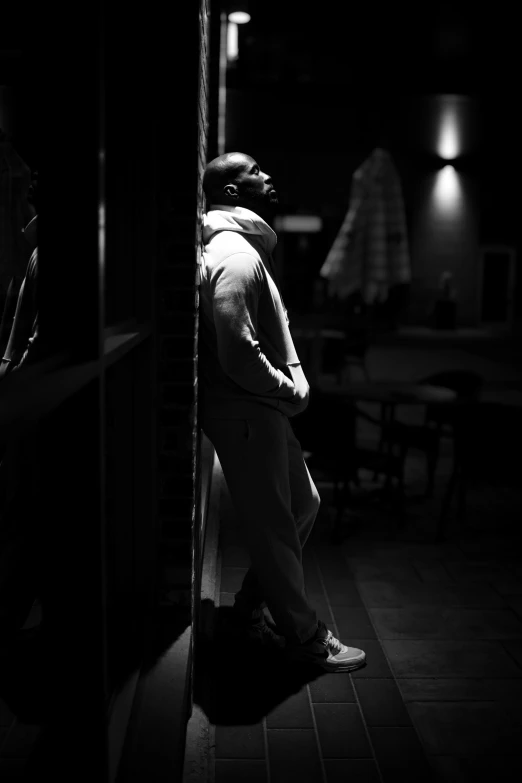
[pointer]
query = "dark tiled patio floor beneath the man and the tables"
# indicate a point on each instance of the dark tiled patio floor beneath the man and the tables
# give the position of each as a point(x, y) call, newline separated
point(439, 699)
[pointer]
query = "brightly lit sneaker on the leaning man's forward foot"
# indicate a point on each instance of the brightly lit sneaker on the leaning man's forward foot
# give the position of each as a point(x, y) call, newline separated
point(326, 651)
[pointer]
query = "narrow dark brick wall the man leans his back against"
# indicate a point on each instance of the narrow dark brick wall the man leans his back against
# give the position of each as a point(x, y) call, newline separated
point(185, 124)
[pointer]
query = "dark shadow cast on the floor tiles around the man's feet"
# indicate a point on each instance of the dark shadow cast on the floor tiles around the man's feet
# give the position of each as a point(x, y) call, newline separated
point(236, 681)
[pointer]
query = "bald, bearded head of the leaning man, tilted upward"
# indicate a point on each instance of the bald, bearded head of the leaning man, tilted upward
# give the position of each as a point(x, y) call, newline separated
point(235, 179)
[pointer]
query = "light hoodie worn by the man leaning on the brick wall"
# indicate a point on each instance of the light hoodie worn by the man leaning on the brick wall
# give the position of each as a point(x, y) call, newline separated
point(247, 359)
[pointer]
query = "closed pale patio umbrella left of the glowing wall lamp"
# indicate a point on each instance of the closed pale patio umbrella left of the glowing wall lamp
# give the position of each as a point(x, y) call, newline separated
point(370, 252)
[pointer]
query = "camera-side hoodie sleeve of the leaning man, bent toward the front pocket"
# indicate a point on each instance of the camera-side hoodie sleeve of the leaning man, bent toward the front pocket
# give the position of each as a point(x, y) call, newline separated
point(236, 285)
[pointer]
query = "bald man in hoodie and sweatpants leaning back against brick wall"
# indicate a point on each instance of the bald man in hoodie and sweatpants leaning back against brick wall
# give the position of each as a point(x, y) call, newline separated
point(251, 385)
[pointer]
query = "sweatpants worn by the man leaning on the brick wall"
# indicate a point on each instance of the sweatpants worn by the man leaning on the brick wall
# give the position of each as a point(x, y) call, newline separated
point(277, 503)
